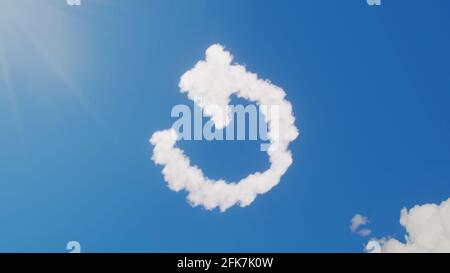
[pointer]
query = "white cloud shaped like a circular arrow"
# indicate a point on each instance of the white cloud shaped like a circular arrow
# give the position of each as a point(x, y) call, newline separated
point(212, 82)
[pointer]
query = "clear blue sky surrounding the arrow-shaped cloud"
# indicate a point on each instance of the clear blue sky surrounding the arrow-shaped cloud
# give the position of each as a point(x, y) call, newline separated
point(83, 88)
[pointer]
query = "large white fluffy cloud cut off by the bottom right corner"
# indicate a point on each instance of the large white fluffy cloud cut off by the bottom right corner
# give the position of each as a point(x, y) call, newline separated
point(427, 230)
